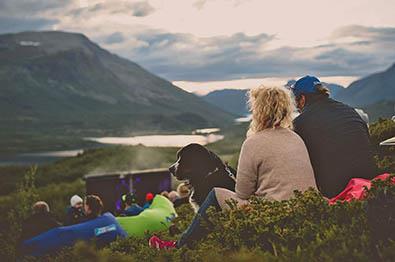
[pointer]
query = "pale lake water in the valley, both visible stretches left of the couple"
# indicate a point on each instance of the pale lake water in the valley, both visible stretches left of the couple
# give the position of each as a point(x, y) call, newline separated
point(201, 136)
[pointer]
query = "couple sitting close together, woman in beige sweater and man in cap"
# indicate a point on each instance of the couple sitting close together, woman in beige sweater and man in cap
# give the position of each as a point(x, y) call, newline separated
point(324, 147)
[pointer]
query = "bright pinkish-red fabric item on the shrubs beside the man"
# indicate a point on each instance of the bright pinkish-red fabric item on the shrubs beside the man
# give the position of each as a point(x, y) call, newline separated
point(355, 189)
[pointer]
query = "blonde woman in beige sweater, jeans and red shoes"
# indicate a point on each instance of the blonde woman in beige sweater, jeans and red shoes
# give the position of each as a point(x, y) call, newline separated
point(273, 162)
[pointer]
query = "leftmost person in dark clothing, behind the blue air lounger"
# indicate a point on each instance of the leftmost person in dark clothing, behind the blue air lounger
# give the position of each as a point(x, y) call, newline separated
point(39, 222)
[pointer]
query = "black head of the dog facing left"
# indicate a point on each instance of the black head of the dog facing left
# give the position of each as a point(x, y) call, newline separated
point(193, 162)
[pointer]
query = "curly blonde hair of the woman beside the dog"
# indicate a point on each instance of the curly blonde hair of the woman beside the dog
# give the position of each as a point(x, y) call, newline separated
point(271, 107)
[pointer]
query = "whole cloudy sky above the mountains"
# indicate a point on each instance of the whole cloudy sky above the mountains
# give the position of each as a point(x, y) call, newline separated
point(208, 44)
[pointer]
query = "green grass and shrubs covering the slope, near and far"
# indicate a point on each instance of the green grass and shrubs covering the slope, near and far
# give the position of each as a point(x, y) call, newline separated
point(303, 228)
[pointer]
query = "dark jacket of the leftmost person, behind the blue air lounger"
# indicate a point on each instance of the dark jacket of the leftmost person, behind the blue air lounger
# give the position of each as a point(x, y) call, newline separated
point(37, 224)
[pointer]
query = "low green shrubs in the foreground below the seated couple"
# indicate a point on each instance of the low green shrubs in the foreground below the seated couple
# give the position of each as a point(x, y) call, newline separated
point(304, 228)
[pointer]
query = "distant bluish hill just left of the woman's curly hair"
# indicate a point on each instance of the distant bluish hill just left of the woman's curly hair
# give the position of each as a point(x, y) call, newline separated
point(229, 100)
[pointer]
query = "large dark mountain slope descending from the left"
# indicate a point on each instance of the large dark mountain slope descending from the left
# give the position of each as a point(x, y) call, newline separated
point(55, 86)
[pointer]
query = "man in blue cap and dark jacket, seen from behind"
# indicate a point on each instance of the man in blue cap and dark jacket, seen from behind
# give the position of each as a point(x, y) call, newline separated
point(335, 135)
